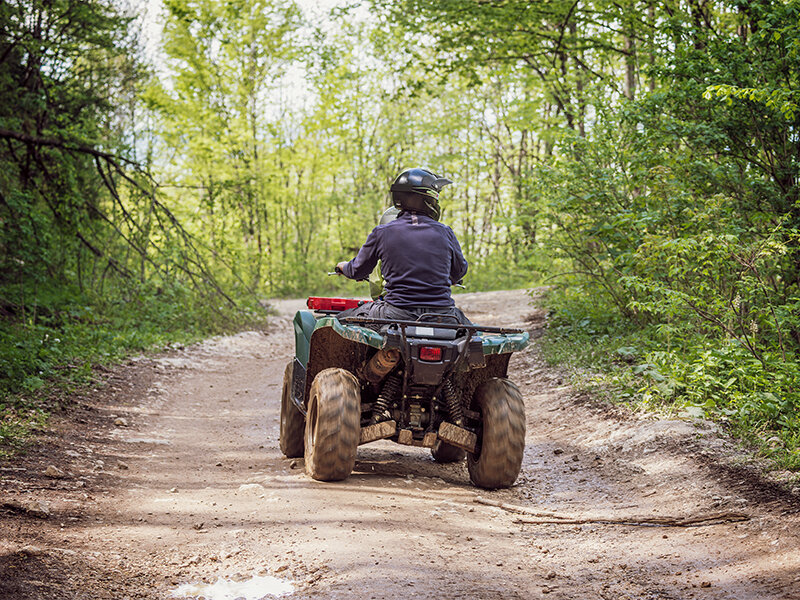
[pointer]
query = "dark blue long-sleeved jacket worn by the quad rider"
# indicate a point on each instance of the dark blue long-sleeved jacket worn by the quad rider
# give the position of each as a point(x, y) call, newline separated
point(420, 259)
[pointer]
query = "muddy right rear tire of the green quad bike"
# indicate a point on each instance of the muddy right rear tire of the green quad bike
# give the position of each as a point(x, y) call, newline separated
point(501, 444)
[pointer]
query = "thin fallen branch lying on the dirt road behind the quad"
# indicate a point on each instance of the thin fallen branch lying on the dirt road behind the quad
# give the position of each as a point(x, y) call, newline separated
point(644, 521)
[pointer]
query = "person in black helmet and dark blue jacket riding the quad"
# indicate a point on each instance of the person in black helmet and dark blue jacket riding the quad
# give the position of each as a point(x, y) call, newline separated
point(420, 257)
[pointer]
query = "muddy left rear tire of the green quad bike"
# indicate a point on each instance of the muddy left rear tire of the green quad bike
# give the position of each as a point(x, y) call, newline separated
point(333, 425)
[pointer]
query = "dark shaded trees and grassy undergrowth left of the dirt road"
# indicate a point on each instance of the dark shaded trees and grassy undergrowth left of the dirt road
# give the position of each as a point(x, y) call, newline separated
point(92, 265)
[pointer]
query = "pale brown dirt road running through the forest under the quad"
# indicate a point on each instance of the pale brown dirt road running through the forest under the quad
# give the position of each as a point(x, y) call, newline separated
point(169, 477)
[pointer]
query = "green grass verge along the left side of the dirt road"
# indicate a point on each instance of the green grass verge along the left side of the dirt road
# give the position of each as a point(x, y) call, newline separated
point(55, 346)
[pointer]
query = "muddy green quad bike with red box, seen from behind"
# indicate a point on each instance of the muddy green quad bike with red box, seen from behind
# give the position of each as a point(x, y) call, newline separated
point(433, 382)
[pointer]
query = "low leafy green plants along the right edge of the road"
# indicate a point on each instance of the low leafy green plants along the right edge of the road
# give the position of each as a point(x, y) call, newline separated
point(666, 370)
